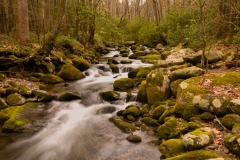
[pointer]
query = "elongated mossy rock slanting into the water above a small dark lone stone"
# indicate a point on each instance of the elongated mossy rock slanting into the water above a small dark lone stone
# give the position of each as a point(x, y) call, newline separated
point(124, 126)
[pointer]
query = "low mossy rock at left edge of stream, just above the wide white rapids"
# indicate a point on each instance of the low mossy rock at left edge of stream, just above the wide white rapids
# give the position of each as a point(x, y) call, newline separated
point(69, 96)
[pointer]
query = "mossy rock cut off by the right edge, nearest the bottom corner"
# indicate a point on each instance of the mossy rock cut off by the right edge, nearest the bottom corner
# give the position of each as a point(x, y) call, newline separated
point(232, 142)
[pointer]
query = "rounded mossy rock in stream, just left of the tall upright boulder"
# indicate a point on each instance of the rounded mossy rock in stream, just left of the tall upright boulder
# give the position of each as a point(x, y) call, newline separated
point(123, 84)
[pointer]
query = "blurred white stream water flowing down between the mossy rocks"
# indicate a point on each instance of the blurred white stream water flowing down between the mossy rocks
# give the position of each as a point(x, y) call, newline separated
point(80, 130)
